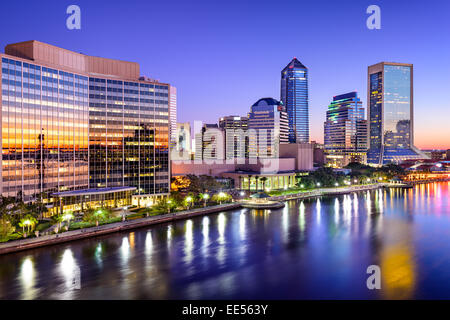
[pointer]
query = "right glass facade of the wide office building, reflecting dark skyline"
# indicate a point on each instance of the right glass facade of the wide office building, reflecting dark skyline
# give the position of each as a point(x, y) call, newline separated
point(129, 135)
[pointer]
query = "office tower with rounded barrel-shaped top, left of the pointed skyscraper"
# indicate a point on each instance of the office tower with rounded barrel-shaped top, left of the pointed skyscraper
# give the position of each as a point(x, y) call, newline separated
point(268, 127)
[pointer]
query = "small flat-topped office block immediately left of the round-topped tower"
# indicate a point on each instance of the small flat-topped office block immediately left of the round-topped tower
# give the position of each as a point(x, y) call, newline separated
point(236, 136)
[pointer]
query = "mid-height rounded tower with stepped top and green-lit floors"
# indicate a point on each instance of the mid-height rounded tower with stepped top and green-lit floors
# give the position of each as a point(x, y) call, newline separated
point(345, 131)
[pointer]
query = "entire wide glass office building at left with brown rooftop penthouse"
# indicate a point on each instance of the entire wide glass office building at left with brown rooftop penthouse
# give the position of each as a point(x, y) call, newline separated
point(76, 122)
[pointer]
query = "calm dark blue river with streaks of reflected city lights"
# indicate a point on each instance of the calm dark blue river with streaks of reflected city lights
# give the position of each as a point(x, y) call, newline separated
point(311, 249)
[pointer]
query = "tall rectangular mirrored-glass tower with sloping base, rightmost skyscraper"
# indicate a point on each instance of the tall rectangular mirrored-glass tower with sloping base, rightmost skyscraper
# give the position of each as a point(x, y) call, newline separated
point(390, 113)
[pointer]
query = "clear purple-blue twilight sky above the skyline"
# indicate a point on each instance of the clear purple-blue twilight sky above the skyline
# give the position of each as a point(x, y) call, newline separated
point(224, 55)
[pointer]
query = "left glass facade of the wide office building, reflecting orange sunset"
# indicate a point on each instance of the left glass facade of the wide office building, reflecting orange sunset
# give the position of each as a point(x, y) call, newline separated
point(44, 129)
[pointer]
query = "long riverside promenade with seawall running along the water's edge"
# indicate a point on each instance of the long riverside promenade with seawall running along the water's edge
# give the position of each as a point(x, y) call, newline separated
point(30, 243)
